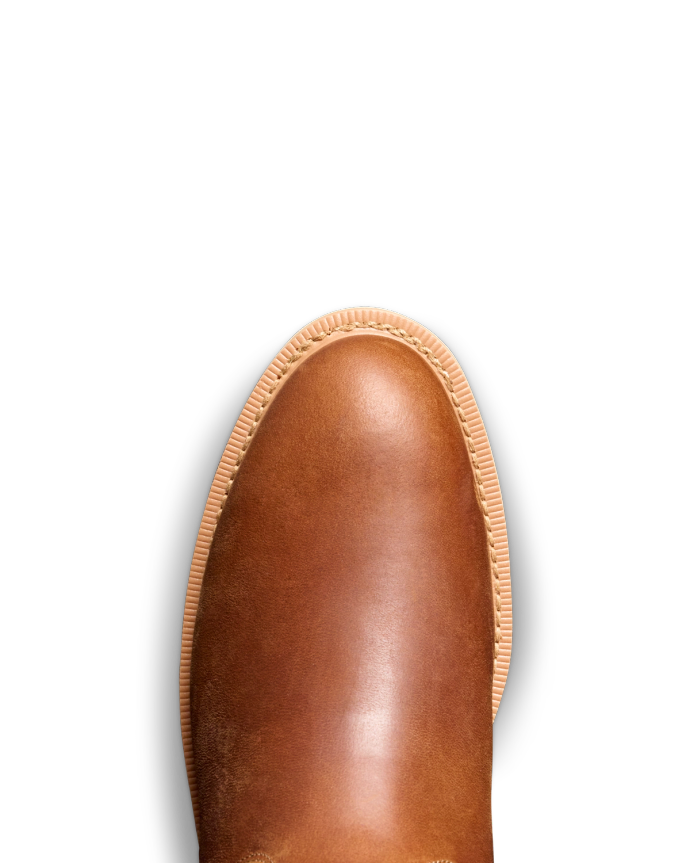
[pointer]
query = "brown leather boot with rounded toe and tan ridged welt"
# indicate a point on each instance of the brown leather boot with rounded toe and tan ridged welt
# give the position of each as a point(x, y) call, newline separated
point(347, 628)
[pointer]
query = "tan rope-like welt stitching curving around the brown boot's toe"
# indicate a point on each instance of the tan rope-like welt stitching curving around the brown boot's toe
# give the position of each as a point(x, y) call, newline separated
point(445, 377)
